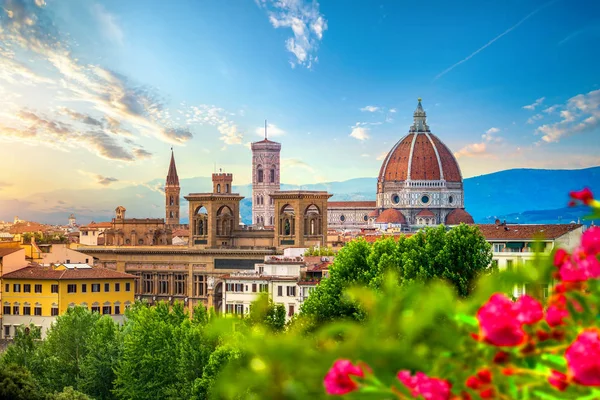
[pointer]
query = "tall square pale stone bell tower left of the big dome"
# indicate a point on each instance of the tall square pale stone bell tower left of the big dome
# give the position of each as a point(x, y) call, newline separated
point(265, 180)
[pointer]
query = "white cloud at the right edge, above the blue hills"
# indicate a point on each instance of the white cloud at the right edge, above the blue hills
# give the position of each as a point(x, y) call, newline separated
point(581, 114)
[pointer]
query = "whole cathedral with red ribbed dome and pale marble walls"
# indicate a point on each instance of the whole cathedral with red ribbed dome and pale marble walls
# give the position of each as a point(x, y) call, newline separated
point(419, 184)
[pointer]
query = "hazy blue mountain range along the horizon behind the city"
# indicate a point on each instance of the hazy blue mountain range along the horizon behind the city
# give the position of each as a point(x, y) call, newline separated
point(516, 195)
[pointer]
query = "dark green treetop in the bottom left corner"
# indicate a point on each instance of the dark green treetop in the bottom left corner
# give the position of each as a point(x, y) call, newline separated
point(16, 383)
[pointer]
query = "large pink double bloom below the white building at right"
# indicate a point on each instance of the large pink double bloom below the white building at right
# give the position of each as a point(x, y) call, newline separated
point(501, 320)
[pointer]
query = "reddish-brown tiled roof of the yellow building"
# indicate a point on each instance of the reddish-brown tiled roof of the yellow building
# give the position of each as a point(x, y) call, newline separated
point(37, 272)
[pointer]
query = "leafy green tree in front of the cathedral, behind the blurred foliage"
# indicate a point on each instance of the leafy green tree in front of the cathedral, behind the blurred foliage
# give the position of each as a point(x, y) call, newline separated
point(458, 256)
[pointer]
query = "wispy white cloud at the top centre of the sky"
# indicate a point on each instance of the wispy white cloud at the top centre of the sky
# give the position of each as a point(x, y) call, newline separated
point(305, 21)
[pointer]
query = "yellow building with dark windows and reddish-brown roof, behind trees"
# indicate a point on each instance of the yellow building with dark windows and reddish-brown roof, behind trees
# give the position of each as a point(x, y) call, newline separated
point(37, 294)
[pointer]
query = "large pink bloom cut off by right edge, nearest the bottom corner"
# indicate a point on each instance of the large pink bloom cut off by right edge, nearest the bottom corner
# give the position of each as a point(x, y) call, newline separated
point(583, 358)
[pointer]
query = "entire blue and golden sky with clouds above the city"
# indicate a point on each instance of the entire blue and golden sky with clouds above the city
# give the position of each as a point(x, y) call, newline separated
point(100, 90)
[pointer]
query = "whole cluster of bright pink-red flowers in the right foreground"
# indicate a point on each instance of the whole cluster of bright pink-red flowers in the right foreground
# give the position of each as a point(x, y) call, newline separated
point(521, 329)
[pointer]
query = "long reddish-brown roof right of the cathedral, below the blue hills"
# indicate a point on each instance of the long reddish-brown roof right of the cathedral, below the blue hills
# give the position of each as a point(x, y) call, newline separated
point(526, 232)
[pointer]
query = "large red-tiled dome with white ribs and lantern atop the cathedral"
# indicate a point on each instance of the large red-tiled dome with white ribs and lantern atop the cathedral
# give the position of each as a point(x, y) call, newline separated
point(420, 155)
